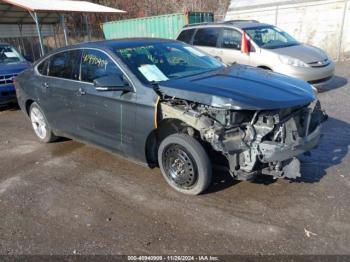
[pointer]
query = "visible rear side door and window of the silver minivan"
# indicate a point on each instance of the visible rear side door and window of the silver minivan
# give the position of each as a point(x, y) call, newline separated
point(207, 39)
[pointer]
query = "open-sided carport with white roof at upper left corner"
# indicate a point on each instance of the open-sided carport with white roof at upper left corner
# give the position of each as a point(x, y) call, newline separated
point(20, 19)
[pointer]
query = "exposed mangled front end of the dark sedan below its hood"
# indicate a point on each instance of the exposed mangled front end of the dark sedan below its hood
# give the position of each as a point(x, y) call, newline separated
point(253, 142)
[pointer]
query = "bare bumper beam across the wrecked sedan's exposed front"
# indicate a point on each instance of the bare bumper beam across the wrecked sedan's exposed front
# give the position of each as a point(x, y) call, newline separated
point(275, 152)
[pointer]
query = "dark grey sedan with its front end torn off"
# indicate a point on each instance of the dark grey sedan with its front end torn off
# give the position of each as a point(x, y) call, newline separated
point(165, 103)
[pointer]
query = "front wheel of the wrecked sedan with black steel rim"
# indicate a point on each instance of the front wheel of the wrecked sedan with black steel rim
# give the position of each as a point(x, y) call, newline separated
point(184, 163)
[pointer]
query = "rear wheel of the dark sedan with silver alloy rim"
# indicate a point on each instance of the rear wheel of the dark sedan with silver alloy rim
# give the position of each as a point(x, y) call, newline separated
point(40, 125)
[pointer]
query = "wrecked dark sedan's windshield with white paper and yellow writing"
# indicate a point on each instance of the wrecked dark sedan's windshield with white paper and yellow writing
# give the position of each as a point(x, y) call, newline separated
point(164, 61)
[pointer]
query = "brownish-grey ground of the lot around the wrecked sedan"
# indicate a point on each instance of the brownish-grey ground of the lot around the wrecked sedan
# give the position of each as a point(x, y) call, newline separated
point(67, 198)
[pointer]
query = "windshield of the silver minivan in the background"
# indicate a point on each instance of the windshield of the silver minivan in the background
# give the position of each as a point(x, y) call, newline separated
point(270, 37)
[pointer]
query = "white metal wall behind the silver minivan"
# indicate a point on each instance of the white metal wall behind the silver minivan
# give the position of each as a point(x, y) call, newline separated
point(323, 23)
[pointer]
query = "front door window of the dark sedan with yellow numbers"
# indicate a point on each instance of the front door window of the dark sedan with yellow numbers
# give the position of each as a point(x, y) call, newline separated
point(96, 64)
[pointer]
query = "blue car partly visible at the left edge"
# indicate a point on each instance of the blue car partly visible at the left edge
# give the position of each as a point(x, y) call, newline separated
point(11, 64)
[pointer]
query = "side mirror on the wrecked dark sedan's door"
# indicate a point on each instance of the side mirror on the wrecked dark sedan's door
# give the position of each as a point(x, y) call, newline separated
point(112, 83)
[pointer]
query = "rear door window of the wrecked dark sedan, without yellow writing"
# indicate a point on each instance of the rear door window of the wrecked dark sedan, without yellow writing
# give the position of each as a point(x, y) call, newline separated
point(65, 65)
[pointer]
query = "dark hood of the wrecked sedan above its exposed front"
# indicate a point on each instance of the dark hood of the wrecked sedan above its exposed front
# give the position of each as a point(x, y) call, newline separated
point(241, 87)
